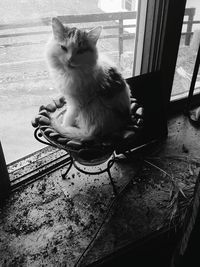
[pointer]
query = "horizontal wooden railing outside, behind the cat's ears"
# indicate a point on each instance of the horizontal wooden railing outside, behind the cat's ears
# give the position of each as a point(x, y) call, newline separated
point(114, 21)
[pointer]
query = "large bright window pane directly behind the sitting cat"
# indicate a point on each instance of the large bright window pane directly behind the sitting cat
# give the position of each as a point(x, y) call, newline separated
point(24, 79)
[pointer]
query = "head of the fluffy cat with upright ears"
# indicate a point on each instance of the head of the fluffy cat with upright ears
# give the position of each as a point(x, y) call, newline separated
point(74, 48)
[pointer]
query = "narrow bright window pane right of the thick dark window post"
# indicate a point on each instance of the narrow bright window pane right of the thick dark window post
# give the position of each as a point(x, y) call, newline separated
point(189, 43)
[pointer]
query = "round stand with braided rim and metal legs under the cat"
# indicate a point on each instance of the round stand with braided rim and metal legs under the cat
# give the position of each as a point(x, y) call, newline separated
point(88, 153)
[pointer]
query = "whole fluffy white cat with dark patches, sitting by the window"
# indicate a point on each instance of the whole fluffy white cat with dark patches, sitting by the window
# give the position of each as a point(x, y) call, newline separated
point(97, 96)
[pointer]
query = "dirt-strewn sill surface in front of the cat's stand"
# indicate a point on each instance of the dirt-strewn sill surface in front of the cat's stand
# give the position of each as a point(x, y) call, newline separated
point(51, 221)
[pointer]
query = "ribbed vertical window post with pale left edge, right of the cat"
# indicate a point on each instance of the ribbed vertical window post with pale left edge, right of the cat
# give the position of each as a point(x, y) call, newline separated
point(149, 32)
